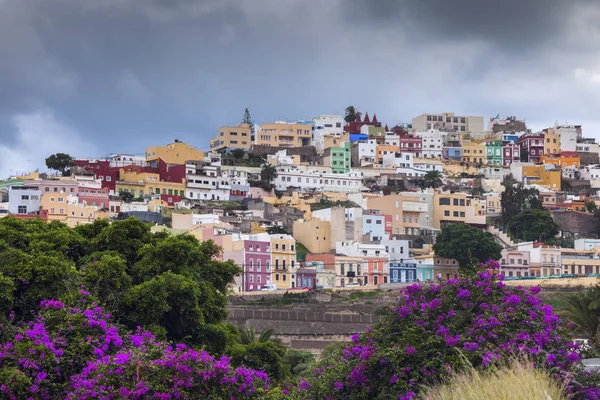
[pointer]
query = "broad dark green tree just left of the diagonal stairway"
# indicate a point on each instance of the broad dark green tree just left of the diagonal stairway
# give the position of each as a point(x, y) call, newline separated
point(466, 245)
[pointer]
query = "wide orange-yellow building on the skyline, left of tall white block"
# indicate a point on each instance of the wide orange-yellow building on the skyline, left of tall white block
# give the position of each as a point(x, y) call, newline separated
point(281, 134)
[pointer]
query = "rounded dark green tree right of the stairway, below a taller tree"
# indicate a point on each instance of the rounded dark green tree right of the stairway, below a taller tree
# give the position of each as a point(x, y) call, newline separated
point(530, 225)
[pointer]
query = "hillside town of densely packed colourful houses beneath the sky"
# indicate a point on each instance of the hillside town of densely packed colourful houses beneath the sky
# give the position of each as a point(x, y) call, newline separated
point(343, 201)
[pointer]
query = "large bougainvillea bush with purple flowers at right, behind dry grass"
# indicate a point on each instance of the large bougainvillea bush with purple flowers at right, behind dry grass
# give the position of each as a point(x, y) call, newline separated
point(439, 329)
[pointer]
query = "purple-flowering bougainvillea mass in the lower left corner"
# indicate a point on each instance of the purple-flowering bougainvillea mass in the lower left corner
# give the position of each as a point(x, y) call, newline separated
point(78, 354)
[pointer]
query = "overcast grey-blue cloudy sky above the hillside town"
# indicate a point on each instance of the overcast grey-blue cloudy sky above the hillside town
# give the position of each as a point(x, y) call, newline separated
point(90, 77)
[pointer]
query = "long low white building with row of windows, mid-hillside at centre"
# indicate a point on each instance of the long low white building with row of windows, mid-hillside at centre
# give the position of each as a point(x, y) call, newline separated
point(315, 181)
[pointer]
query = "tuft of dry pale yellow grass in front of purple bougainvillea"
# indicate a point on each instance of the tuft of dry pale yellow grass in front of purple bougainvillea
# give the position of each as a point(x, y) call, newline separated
point(518, 382)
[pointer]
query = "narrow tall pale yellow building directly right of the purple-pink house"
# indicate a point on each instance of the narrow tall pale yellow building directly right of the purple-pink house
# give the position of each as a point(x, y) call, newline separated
point(283, 261)
